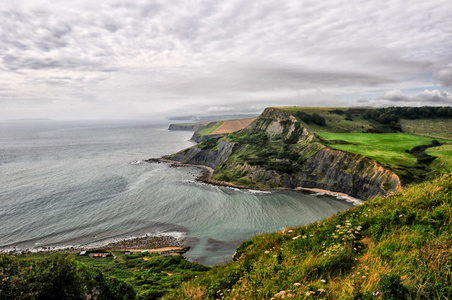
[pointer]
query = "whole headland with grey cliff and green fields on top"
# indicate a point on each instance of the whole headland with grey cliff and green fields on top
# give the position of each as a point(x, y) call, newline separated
point(356, 151)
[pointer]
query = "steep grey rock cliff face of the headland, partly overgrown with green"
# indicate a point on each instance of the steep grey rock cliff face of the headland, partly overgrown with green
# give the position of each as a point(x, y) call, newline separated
point(278, 151)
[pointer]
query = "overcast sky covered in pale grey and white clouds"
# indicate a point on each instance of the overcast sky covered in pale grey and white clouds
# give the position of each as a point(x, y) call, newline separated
point(136, 59)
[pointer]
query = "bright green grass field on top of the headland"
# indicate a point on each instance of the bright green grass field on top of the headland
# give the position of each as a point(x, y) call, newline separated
point(386, 148)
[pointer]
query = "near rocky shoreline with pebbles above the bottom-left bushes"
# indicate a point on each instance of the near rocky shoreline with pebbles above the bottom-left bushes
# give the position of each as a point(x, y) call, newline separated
point(167, 243)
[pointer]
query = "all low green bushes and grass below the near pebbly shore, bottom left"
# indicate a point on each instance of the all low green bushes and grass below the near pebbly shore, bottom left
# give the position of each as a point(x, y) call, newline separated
point(68, 276)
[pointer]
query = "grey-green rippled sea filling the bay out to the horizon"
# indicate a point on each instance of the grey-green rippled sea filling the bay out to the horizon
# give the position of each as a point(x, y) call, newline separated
point(82, 183)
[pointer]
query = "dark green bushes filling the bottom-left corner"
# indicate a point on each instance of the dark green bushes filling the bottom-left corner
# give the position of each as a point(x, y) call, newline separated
point(57, 277)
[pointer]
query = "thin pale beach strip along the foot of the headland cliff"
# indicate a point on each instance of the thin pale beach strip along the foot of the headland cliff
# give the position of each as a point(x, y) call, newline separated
point(207, 173)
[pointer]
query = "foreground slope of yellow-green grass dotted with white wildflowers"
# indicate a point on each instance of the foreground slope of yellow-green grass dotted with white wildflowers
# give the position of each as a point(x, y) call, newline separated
point(347, 256)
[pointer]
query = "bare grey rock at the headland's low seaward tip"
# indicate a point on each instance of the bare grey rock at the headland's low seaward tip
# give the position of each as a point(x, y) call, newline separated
point(210, 158)
